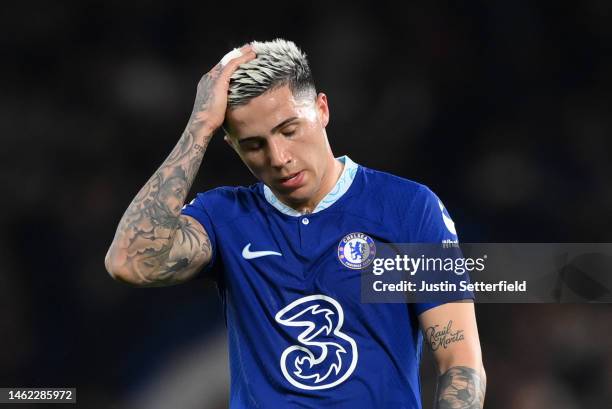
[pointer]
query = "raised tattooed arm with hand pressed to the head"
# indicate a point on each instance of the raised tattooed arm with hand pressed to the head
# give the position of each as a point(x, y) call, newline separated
point(154, 244)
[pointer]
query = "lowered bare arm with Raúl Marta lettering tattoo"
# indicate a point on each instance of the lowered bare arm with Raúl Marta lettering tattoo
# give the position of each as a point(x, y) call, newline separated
point(451, 334)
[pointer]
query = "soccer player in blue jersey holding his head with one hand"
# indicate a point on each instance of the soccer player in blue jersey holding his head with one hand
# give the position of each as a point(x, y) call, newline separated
point(289, 250)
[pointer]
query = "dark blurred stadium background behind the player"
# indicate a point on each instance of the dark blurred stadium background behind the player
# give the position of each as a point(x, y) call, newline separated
point(500, 107)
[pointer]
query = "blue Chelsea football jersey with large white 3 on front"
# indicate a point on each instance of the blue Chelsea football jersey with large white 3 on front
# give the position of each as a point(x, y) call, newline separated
point(299, 336)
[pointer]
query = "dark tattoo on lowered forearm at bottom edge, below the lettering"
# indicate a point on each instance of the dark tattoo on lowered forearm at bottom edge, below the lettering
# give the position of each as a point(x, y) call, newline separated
point(460, 388)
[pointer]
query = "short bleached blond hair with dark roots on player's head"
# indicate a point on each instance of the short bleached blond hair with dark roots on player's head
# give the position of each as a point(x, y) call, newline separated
point(278, 63)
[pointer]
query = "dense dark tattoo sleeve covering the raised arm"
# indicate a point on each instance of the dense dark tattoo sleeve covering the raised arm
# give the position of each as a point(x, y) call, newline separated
point(152, 223)
